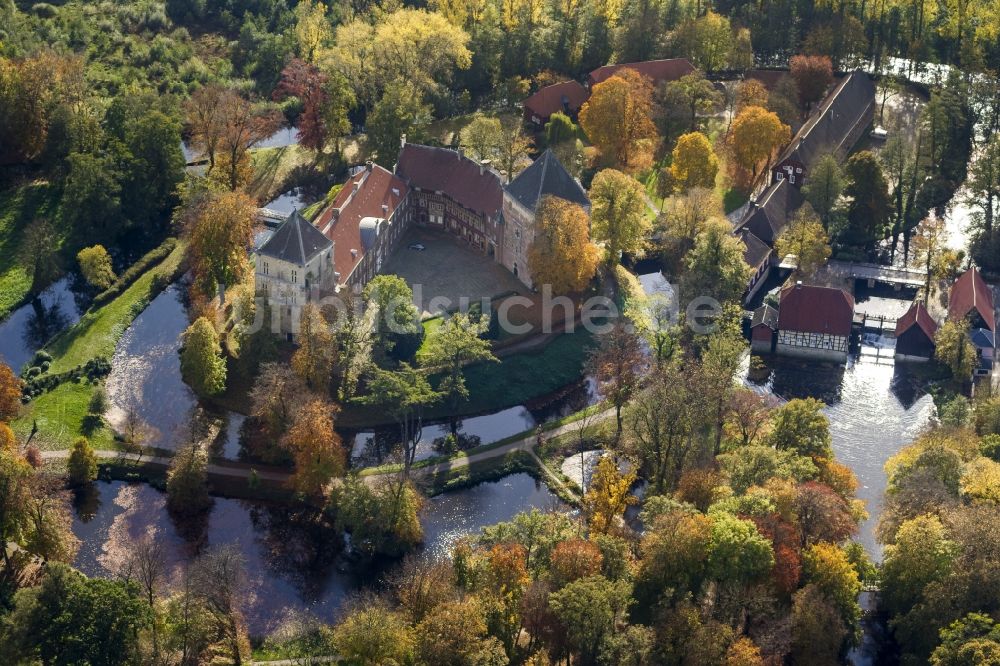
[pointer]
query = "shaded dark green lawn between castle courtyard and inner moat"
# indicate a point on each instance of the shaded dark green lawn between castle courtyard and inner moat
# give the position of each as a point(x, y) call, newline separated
point(495, 386)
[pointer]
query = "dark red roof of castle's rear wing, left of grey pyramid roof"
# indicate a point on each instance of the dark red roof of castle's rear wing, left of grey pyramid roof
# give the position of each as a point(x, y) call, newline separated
point(444, 170)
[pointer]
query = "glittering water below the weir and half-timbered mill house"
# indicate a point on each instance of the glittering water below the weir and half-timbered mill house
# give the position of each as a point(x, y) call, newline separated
point(875, 407)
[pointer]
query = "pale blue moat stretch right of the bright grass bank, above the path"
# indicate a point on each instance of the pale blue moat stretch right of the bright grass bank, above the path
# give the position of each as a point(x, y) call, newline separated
point(146, 378)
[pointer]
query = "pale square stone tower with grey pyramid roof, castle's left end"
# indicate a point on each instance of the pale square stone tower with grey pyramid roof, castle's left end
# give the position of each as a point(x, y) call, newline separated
point(294, 266)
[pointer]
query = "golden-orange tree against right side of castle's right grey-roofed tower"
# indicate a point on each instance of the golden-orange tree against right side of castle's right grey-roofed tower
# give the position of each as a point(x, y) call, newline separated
point(562, 254)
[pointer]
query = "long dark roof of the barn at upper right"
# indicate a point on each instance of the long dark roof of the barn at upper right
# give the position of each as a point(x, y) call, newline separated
point(831, 125)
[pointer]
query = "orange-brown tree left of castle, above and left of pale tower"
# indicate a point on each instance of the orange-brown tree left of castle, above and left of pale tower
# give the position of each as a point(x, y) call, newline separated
point(221, 234)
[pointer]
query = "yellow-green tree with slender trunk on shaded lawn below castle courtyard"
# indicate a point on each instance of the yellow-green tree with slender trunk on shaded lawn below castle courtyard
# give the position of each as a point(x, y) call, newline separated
point(456, 343)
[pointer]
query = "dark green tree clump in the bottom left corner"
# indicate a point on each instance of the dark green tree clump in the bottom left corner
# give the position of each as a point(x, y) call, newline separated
point(71, 619)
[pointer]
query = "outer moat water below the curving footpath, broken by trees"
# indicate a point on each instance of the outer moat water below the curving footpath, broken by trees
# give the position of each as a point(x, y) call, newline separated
point(292, 565)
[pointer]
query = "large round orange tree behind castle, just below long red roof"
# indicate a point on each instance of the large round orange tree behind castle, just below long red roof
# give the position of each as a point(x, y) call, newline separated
point(618, 119)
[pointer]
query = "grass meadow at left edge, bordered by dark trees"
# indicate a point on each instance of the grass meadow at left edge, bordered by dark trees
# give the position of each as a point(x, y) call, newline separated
point(18, 207)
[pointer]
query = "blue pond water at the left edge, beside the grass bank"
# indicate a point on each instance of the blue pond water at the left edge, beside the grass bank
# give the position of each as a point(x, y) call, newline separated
point(30, 326)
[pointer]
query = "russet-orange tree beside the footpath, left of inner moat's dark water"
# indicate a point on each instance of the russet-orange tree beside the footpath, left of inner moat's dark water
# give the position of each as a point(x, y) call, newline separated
point(316, 448)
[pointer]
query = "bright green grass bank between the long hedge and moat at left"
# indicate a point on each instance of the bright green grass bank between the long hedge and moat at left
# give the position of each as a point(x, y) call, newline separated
point(60, 413)
